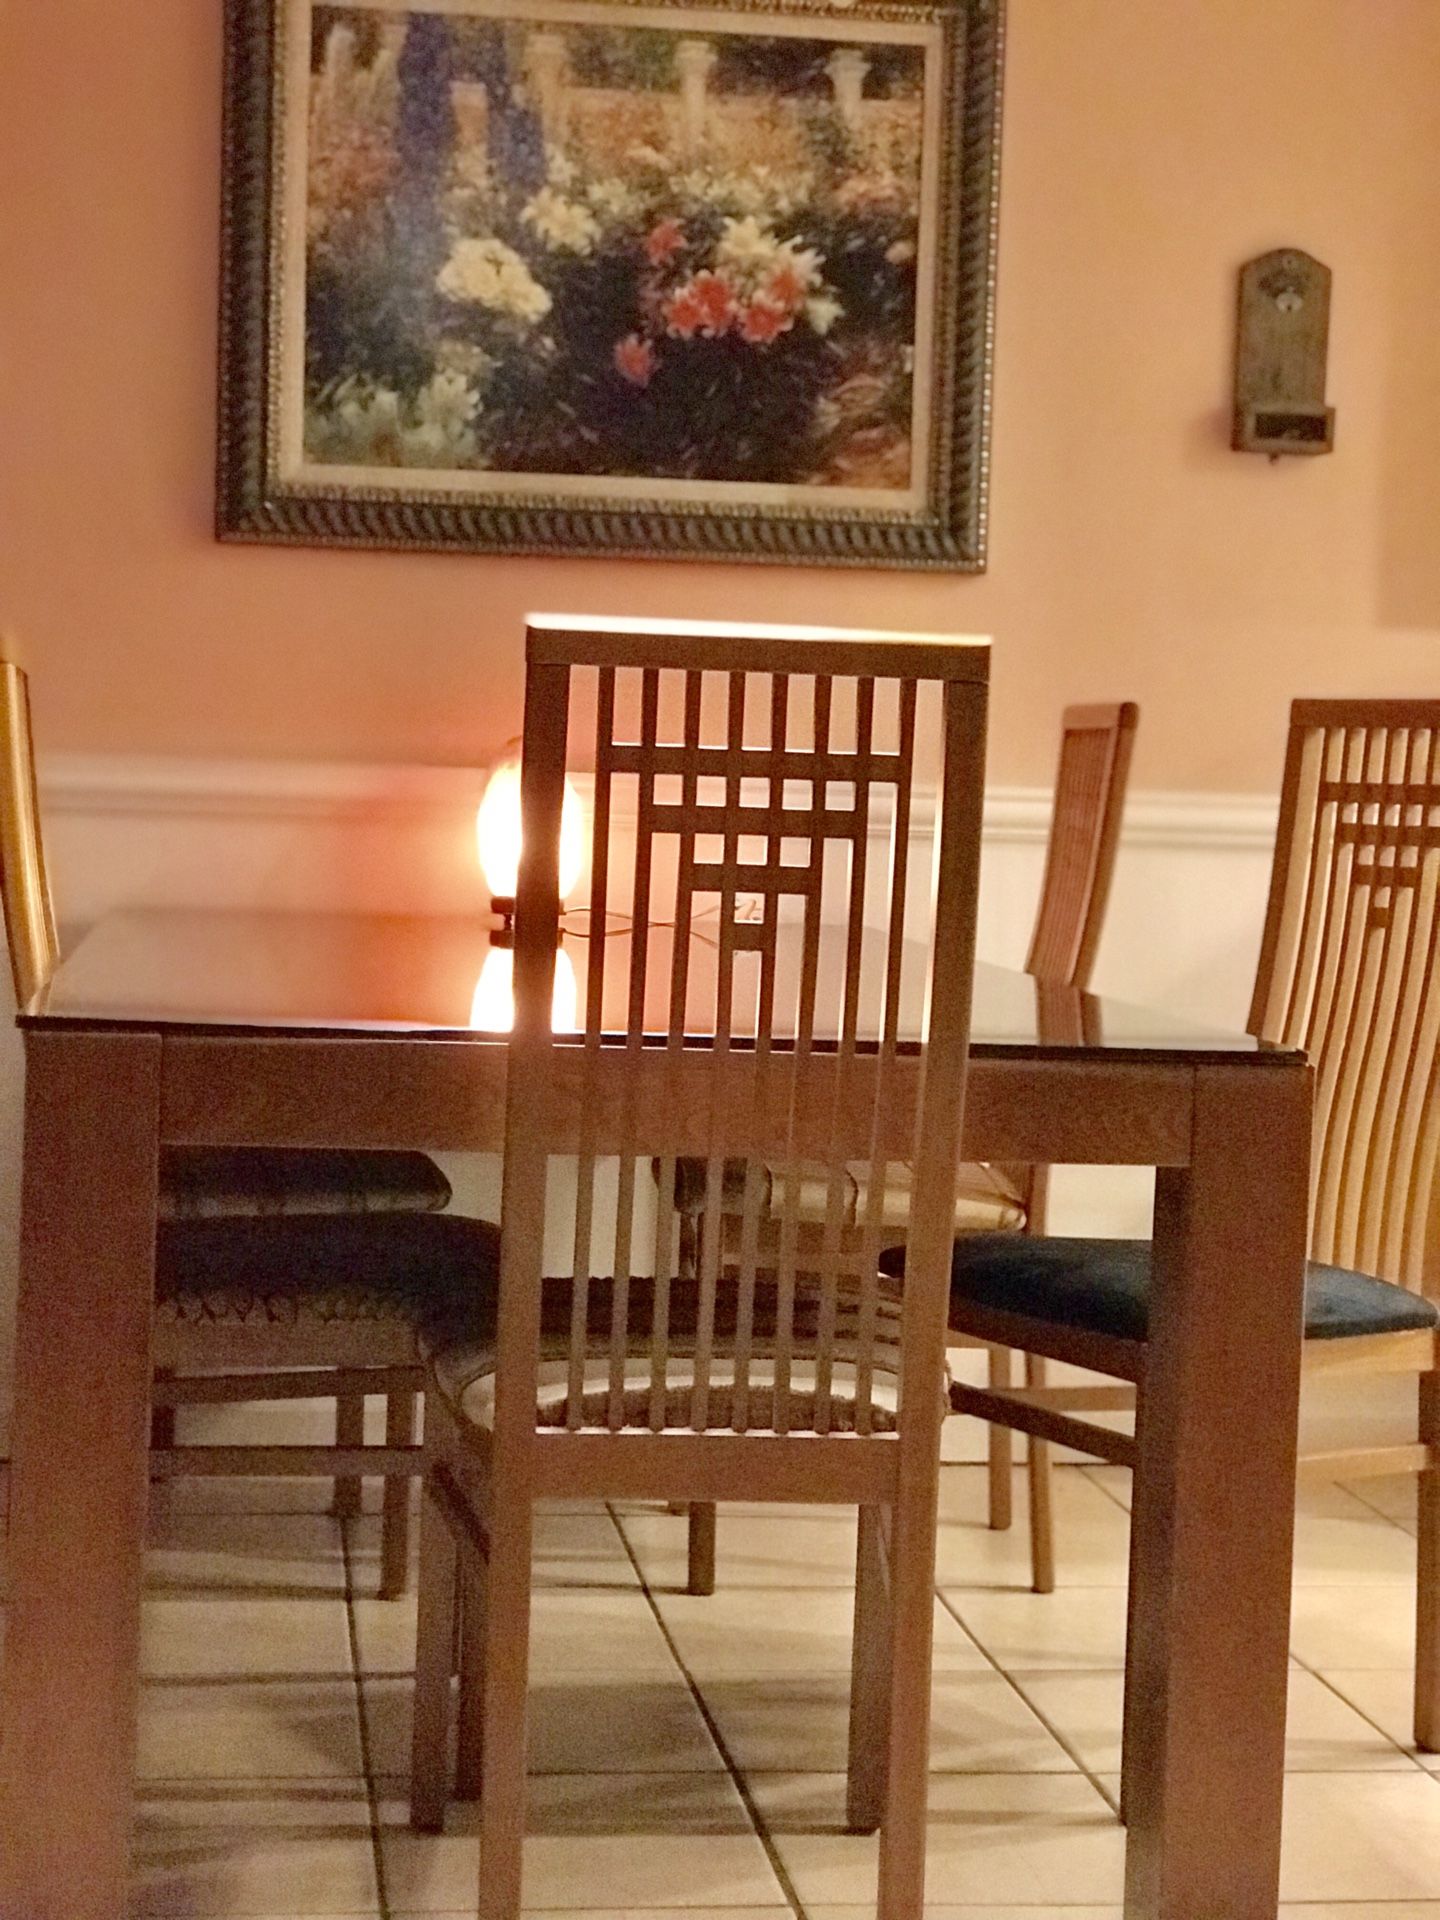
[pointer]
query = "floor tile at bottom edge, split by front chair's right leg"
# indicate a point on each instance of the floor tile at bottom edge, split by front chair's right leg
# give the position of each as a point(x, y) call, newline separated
point(1042, 1840)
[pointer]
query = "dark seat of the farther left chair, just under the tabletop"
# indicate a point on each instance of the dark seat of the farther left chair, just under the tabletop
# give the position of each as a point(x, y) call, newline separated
point(228, 1182)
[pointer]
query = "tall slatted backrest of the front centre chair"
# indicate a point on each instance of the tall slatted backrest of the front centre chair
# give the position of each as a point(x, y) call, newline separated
point(759, 773)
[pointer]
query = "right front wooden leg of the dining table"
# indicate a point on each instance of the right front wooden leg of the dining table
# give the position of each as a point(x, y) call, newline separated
point(1214, 1506)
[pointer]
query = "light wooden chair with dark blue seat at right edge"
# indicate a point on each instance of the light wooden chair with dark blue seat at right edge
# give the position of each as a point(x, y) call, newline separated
point(1349, 971)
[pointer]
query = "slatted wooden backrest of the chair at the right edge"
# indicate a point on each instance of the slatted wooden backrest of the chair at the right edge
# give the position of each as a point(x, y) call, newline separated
point(1351, 971)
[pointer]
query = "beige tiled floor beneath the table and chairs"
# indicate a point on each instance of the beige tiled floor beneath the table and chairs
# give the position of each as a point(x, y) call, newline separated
point(688, 1752)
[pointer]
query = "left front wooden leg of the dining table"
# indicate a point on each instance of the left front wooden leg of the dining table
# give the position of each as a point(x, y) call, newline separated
point(78, 1485)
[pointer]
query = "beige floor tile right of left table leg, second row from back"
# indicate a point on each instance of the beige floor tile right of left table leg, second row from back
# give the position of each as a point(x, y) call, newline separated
point(201, 1639)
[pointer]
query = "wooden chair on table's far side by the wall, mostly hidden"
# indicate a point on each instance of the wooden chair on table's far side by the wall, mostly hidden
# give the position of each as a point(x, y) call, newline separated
point(1090, 802)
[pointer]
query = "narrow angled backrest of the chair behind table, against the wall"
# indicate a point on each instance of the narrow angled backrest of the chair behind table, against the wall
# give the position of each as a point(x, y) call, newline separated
point(1080, 863)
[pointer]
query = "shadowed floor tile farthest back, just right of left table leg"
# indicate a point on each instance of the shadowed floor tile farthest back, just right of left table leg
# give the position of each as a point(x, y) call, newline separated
point(262, 1554)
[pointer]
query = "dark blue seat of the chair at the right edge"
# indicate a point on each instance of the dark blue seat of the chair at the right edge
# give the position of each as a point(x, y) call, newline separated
point(1105, 1287)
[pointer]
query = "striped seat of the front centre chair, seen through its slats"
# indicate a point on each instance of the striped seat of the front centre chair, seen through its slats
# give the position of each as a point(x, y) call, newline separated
point(462, 1355)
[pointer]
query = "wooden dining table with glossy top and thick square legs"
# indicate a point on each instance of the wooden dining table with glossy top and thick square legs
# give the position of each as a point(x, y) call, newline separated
point(297, 1030)
